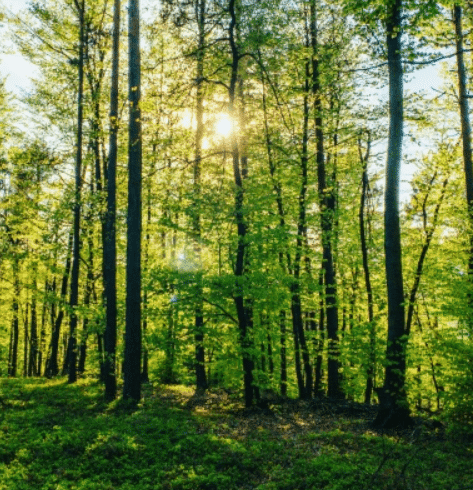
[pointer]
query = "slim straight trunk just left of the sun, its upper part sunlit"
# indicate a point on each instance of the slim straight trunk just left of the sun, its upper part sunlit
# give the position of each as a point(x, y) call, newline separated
point(201, 381)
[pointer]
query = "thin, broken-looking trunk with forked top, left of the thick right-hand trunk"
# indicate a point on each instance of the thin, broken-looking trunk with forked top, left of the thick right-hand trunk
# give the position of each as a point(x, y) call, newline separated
point(366, 269)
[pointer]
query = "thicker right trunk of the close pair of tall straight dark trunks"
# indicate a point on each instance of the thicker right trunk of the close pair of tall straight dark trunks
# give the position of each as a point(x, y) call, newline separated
point(132, 358)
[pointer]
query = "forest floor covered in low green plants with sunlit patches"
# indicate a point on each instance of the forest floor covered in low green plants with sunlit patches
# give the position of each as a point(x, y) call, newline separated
point(55, 436)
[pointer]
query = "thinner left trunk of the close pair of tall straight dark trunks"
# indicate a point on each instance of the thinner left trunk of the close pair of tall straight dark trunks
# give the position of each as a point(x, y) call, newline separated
point(109, 251)
